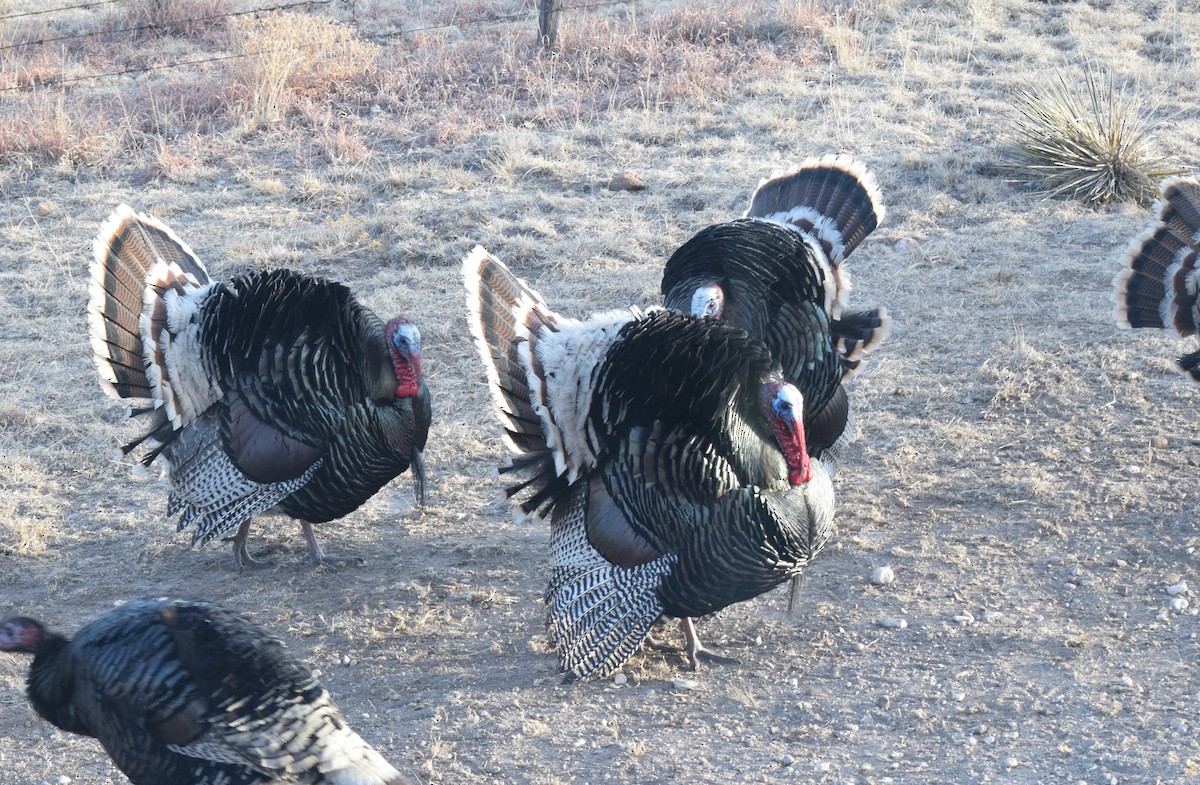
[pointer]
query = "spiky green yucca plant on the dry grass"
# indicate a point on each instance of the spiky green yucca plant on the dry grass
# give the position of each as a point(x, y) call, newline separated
point(1090, 143)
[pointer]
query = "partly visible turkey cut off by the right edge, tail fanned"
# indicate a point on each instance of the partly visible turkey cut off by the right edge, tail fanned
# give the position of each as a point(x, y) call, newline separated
point(1161, 285)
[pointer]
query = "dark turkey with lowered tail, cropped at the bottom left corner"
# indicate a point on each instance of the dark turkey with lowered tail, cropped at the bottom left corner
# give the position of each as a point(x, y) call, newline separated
point(187, 693)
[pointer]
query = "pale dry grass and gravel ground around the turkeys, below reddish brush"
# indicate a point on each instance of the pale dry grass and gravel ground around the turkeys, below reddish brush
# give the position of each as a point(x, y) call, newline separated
point(1025, 469)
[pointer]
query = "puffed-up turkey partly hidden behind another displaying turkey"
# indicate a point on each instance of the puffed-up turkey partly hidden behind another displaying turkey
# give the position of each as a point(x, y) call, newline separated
point(778, 275)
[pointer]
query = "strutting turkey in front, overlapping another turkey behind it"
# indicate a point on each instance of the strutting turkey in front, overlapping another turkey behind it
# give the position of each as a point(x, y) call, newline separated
point(669, 453)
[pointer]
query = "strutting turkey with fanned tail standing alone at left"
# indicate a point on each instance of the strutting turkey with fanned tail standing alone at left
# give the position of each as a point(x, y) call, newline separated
point(271, 391)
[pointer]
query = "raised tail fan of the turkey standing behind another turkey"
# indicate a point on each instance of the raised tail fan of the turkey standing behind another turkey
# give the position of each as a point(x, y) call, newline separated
point(835, 200)
